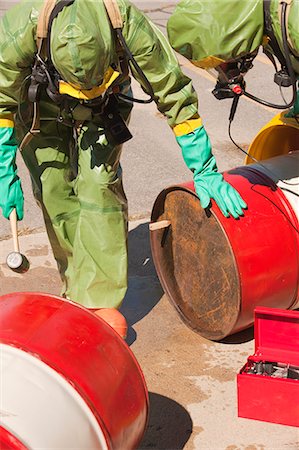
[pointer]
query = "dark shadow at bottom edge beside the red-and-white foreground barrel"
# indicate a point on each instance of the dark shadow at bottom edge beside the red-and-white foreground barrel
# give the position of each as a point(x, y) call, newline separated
point(169, 427)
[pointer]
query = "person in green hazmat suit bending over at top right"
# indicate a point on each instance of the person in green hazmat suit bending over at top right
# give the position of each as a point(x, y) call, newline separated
point(224, 37)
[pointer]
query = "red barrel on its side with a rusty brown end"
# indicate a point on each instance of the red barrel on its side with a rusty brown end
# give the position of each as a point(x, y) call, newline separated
point(216, 270)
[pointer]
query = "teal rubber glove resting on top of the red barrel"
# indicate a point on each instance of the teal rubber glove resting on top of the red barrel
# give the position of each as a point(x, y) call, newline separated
point(209, 183)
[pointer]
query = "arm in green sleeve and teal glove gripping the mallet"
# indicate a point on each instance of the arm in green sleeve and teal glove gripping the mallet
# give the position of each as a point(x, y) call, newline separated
point(17, 48)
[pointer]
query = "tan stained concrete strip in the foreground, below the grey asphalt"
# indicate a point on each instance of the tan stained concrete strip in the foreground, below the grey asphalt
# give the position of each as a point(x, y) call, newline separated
point(191, 381)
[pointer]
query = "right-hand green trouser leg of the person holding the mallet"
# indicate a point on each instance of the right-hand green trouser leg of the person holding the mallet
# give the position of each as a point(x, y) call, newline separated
point(100, 243)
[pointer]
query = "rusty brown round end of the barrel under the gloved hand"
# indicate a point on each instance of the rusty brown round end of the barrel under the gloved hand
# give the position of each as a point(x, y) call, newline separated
point(195, 262)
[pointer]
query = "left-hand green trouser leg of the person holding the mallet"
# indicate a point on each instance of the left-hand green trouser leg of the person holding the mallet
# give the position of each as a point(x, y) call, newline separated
point(47, 159)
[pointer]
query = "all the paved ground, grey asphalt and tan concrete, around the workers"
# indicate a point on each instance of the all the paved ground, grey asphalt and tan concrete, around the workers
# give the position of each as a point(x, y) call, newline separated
point(191, 381)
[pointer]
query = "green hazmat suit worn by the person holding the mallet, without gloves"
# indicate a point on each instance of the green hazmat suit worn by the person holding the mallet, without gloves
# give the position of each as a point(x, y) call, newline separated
point(86, 217)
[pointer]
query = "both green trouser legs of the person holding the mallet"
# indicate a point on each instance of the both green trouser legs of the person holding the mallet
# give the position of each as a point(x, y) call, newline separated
point(86, 219)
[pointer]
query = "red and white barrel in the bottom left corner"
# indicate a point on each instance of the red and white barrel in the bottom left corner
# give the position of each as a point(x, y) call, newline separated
point(68, 379)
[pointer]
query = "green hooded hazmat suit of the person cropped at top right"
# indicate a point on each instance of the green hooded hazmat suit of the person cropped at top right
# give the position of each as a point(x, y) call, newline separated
point(209, 33)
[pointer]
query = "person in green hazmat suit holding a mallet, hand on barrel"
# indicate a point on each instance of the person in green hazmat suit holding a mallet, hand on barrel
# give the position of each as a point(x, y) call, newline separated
point(74, 155)
